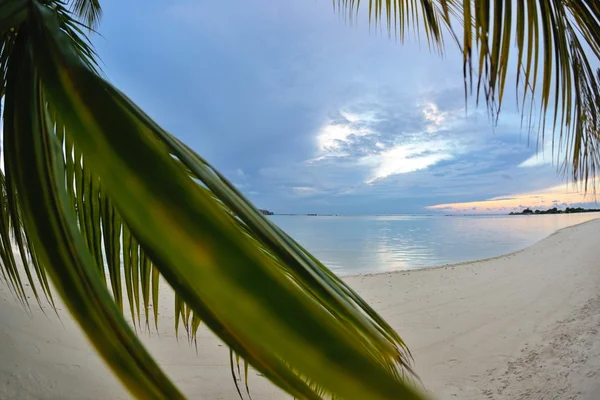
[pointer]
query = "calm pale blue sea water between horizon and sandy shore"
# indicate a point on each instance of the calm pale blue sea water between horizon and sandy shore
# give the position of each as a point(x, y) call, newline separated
point(366, 244)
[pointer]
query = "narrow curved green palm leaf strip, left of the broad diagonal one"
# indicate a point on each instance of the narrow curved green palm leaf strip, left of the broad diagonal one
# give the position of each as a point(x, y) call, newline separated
point(36, 173)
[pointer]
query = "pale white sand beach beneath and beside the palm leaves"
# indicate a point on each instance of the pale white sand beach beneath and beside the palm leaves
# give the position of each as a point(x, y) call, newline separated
point(521, 326)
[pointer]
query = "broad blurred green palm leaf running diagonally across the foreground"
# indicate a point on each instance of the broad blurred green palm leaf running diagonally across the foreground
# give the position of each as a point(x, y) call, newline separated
point(204, 249)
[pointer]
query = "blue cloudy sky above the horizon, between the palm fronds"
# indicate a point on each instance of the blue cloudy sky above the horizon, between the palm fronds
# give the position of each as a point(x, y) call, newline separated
point(307, 112)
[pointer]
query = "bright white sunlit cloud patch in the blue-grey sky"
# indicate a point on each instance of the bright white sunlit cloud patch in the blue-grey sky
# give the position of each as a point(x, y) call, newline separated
point(380, 141)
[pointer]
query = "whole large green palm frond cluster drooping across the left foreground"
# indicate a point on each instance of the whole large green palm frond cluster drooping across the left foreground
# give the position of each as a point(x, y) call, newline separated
point(108, 191)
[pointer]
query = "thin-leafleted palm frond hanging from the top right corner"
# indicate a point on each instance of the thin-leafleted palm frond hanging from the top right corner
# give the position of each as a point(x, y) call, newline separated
point(552, 64)
